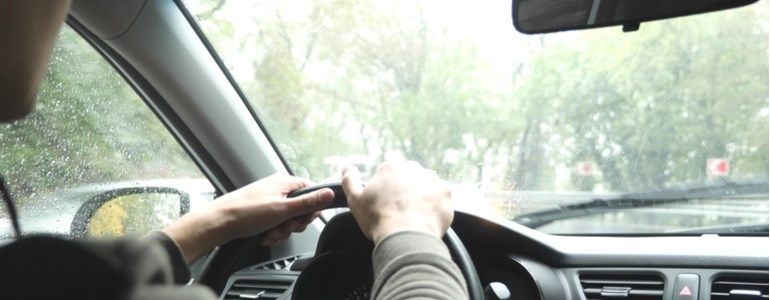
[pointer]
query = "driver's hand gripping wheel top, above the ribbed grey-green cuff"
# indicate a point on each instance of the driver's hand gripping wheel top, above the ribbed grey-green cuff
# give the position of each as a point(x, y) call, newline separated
point(401, 196)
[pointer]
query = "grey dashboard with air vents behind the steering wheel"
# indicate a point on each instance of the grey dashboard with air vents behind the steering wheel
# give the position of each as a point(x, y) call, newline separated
point(515, 262)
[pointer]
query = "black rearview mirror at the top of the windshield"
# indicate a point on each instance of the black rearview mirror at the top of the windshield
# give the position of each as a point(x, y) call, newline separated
point(542, 16)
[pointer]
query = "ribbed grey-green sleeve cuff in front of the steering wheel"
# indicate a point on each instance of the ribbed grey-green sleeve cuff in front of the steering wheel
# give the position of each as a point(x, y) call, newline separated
point(414, 265)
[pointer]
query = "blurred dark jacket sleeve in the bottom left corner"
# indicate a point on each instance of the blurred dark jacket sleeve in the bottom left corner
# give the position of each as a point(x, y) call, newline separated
point(48, 267)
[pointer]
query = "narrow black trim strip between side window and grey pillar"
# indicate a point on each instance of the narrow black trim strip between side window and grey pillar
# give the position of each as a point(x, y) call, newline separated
point(155, 102)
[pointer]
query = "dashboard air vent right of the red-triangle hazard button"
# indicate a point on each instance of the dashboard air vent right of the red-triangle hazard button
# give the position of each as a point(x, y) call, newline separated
point(740, 287)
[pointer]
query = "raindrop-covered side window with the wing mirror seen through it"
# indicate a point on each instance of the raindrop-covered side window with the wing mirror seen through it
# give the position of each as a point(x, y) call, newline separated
point(92, 160)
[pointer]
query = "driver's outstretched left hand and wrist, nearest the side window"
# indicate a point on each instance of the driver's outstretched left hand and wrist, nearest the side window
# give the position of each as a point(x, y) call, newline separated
point(260, 207)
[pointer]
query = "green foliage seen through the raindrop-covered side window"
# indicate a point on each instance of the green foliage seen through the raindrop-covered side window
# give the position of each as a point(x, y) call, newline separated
point(88, 127)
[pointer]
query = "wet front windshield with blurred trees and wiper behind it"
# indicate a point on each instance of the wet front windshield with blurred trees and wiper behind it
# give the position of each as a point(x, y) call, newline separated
point(523, 126)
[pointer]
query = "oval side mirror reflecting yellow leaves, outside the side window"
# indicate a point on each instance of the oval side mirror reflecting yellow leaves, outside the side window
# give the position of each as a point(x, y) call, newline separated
point(129, 211)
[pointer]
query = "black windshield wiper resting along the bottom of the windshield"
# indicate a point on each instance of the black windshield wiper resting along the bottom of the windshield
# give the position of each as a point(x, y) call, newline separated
point(747, 190)
